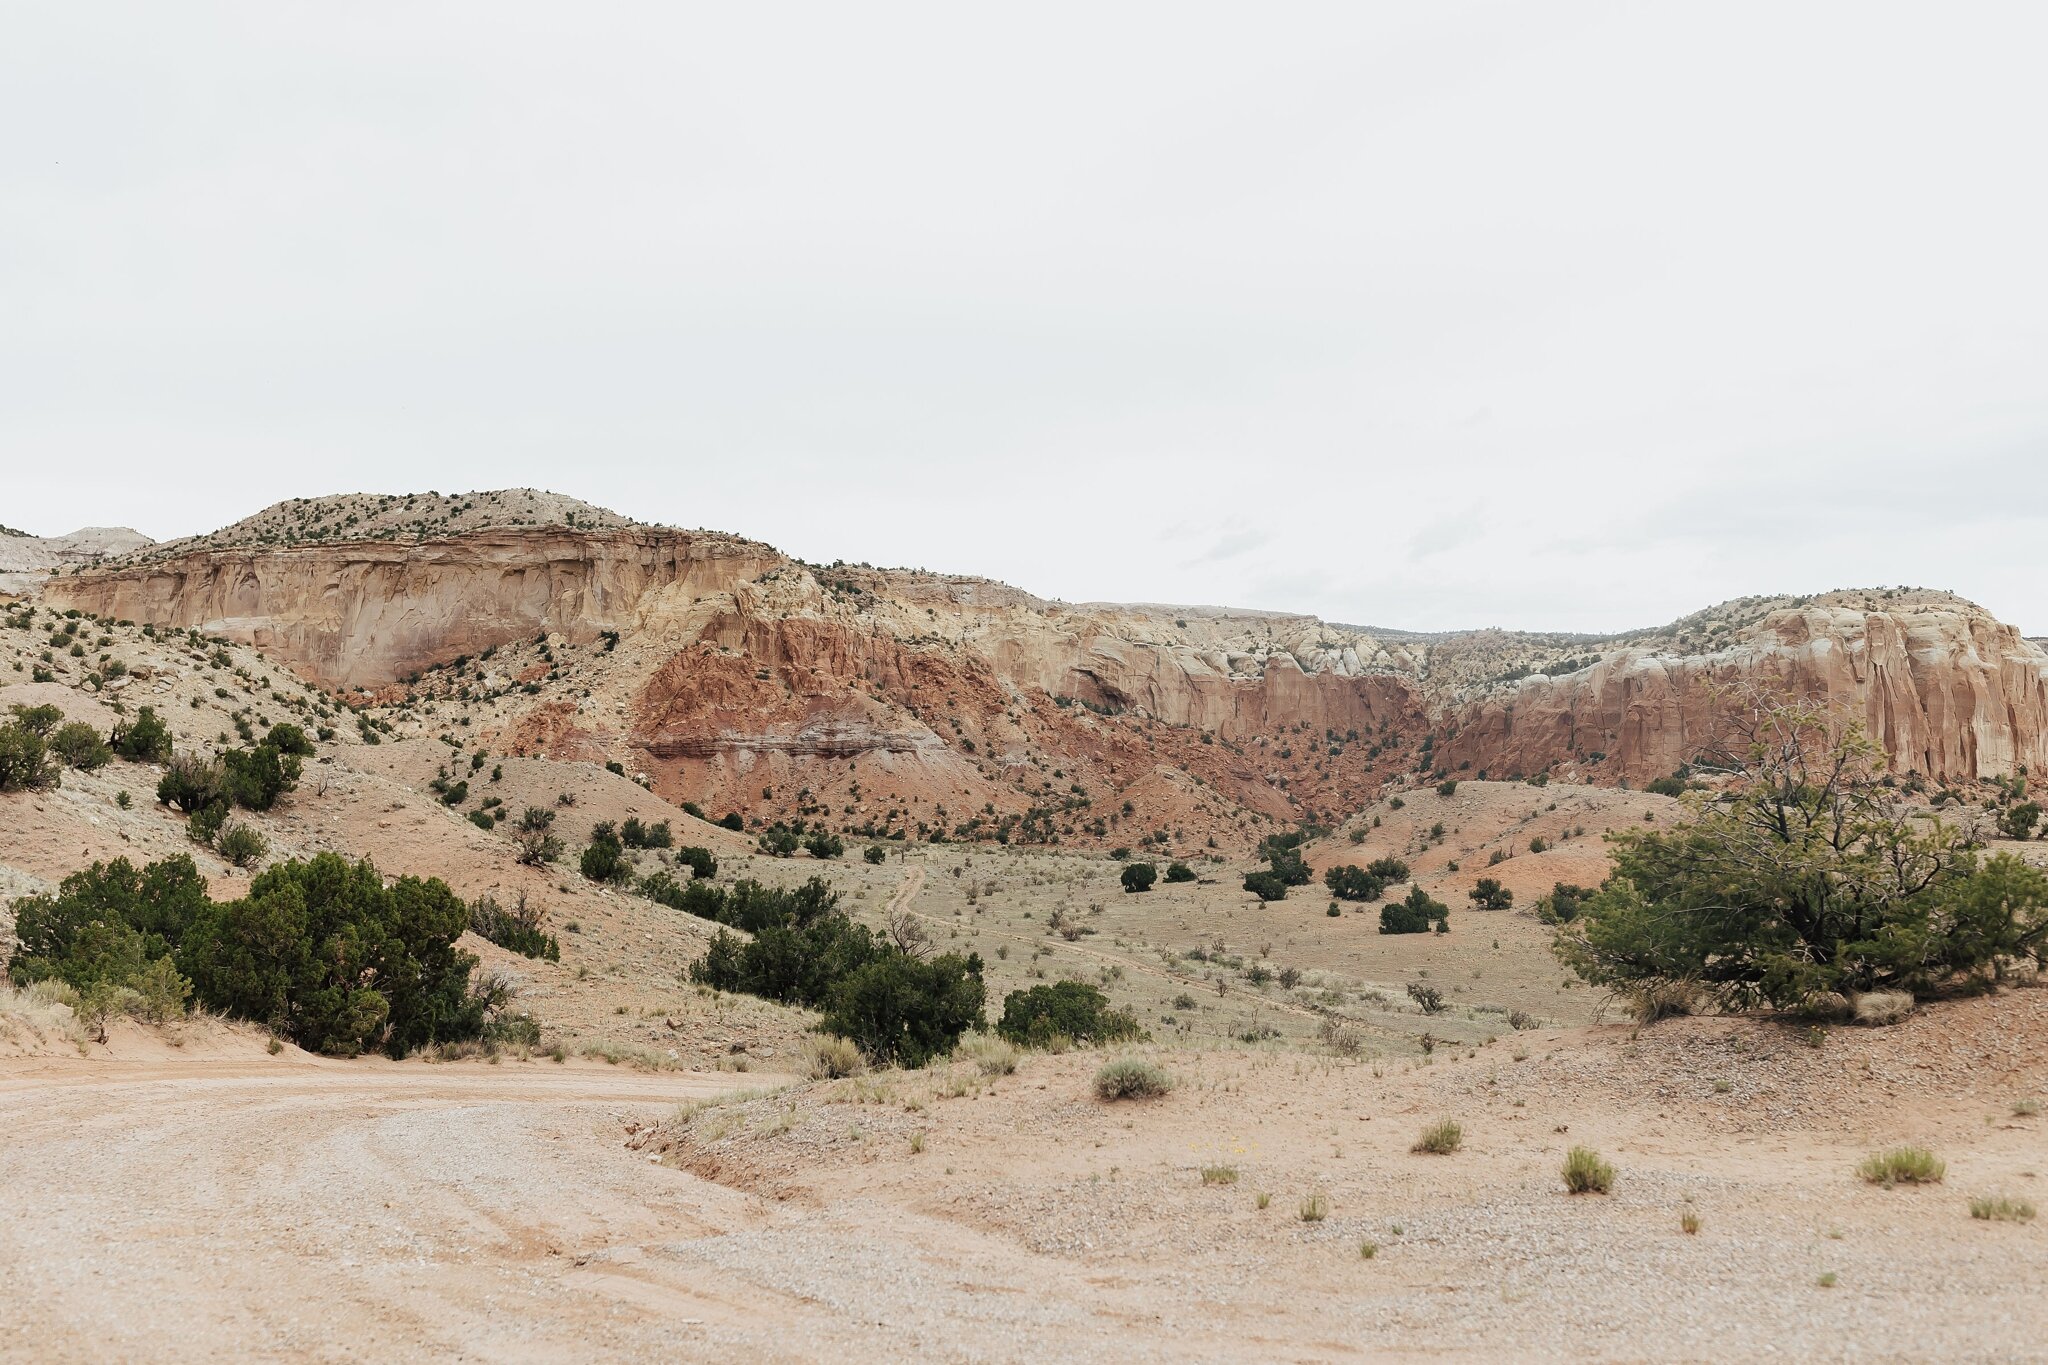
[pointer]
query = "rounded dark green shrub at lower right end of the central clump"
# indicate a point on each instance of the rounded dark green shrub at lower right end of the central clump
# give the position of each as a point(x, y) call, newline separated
point(908, 1010)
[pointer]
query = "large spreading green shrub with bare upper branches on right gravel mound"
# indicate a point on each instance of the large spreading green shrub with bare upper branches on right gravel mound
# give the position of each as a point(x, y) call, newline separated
point(1805, 879)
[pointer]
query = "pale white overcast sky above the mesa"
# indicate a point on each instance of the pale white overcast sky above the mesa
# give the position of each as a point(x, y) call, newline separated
point(1572, 316)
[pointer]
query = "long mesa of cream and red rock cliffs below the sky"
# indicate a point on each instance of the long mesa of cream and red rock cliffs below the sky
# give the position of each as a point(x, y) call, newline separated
point(740, 678)
